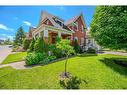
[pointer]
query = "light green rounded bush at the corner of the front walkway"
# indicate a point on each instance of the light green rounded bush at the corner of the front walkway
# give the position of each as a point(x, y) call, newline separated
point(34, 58)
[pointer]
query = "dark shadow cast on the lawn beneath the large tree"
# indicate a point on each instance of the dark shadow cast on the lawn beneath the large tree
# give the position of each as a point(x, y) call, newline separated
point(116, 64)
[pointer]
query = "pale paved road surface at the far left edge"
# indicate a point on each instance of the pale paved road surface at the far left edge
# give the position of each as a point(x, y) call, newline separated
point(4, 52)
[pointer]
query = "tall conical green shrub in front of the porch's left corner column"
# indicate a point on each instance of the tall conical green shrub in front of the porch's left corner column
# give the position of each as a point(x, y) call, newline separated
point(40, 45)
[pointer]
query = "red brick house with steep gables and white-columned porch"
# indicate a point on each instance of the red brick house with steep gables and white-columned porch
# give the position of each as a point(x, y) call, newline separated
point(51, 26)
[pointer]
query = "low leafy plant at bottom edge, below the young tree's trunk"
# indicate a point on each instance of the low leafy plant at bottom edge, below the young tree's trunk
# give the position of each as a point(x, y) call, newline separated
point(71, 83)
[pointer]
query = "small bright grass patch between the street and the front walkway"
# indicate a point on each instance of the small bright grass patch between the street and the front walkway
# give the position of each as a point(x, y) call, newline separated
point(14, 57)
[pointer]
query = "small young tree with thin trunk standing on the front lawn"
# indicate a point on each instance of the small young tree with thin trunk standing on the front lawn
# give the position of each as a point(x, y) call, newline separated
point(64, 46)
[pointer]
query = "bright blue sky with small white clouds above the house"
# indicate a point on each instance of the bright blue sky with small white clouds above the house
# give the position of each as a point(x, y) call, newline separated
point(12, 17)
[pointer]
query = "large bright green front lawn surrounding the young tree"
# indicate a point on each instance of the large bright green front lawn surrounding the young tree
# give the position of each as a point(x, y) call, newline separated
point(95, 70)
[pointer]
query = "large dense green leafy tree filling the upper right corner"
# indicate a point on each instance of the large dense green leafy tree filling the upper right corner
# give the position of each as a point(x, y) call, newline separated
point(109, 26)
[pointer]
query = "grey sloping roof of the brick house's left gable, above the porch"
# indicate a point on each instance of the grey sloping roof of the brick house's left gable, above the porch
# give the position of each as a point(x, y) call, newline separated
point(45, 15)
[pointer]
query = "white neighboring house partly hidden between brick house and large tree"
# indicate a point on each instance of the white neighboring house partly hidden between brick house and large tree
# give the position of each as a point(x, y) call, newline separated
point(90, 42)
